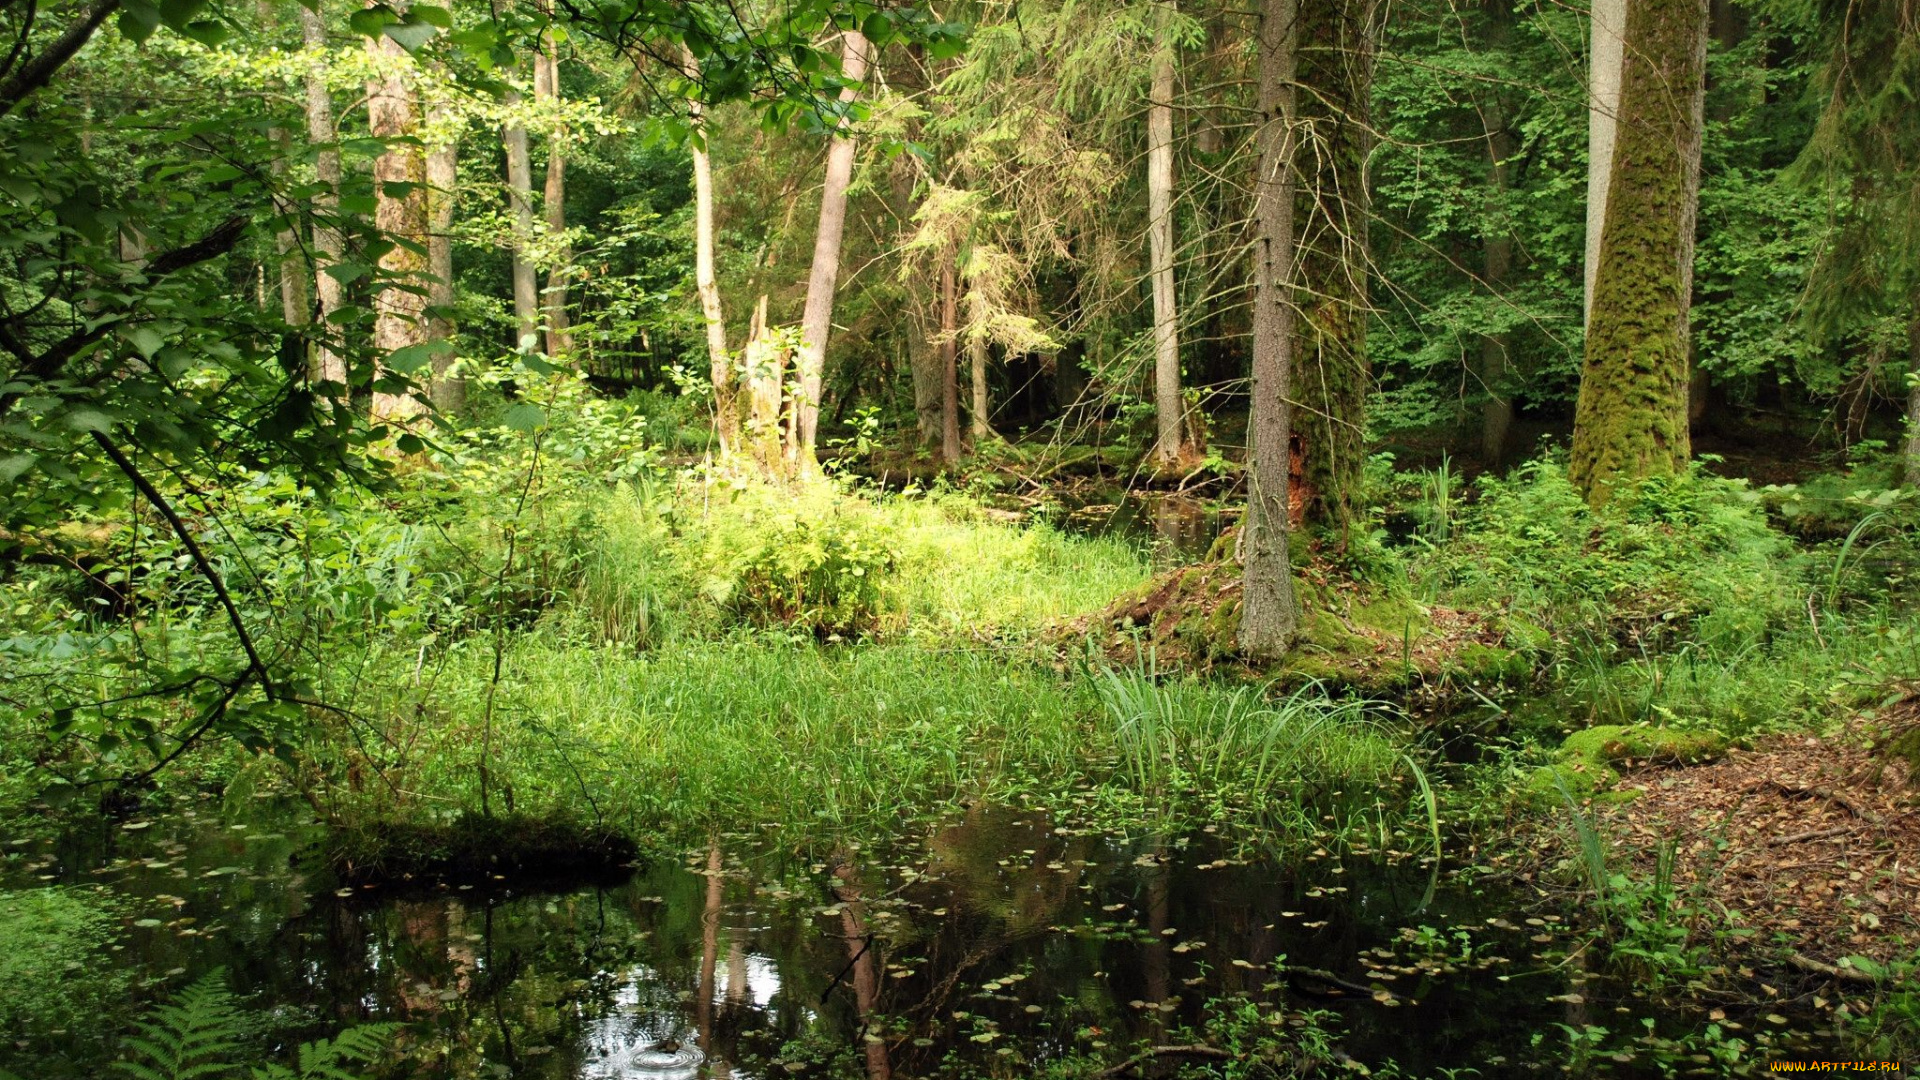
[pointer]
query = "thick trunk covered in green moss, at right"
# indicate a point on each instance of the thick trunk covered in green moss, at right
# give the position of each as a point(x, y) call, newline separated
point(1631, 418)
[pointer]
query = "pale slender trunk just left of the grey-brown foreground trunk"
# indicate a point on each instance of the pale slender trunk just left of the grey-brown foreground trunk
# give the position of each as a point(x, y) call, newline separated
point(1168, 408)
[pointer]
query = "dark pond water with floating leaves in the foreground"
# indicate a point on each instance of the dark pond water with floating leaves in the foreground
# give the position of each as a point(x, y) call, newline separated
point(992, 946)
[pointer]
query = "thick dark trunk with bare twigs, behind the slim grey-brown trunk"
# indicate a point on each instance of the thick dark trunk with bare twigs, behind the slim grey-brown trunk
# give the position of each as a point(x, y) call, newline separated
point(1335, 47)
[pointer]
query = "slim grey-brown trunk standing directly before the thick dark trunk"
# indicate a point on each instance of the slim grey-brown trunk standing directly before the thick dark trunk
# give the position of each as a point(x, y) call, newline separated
point(1270, 620)
